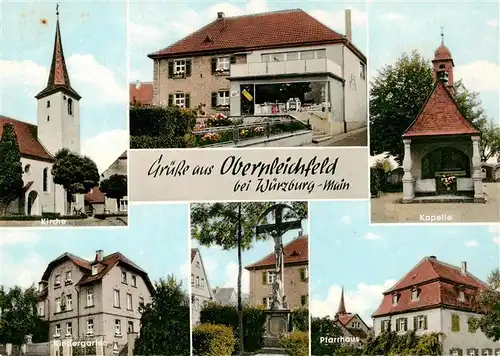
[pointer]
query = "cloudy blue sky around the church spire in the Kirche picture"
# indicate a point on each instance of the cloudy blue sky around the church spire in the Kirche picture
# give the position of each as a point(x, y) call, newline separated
point(94, 37)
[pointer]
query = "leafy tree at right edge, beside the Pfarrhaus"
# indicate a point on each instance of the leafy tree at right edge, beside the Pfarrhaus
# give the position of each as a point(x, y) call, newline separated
point(489, 304)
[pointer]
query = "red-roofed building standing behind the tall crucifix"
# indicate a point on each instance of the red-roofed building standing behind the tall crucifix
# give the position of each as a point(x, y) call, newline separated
point(295, 276)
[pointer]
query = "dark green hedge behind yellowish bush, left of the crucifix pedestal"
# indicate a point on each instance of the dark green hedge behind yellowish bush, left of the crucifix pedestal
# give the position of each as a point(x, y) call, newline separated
point(254, 320)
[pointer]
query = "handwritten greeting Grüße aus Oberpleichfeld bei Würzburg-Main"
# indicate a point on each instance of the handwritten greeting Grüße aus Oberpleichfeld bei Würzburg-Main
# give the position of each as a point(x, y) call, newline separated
point(280, 174)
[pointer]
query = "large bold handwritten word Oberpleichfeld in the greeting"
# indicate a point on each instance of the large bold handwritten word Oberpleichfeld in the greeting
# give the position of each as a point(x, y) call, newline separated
point(237, 166)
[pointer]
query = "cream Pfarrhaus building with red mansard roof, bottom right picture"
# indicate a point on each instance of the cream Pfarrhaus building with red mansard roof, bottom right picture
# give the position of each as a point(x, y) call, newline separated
point(435, 297)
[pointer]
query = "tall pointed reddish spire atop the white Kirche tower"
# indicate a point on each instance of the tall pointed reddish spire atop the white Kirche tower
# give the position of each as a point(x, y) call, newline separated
point(58, 75)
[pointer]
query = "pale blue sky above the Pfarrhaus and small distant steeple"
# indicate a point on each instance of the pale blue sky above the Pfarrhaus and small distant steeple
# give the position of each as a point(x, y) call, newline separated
point(367, 260)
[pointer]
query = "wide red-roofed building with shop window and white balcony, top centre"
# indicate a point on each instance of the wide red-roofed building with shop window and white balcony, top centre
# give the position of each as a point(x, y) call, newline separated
point(238, 66)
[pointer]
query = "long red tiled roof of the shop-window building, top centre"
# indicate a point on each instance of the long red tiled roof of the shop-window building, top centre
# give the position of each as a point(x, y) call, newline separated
point(277, 29)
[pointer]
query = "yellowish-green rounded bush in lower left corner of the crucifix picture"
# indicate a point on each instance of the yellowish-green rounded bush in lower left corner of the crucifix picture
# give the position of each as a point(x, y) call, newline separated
point(213, 340)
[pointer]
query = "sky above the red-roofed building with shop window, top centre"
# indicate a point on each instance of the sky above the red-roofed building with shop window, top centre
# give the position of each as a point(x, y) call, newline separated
point(153, 28)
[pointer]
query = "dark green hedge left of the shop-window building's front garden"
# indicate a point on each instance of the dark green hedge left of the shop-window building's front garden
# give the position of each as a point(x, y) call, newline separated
point(159, 127)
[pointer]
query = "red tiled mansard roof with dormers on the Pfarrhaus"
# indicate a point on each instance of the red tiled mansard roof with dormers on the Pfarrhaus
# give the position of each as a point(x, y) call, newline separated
point(438, 284)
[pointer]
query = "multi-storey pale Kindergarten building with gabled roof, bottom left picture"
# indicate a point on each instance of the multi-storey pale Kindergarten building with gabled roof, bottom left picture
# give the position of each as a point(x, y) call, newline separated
point(97, 299)
